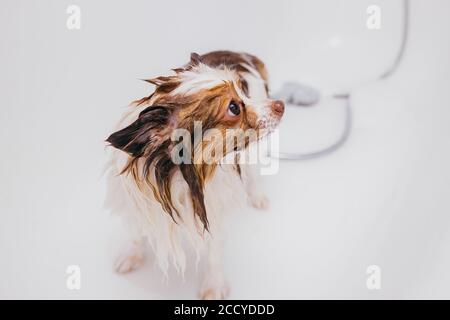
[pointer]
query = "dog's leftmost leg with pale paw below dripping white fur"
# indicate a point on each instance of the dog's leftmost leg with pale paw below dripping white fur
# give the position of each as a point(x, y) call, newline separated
point(131, 258)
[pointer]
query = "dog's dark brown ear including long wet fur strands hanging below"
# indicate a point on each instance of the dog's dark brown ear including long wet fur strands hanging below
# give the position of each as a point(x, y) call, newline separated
point(148, 136)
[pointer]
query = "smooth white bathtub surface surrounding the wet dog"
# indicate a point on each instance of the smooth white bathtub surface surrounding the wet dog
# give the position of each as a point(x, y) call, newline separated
point(383, 199)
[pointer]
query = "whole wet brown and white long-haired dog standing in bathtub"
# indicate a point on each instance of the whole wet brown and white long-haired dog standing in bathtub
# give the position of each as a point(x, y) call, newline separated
point(169, 202)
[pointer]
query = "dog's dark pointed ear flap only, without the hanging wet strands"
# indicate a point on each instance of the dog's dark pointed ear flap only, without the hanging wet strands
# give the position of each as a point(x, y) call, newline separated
point(144, 132)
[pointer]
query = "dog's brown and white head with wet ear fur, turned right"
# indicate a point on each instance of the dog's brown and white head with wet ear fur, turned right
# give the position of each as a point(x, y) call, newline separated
point(223, 104)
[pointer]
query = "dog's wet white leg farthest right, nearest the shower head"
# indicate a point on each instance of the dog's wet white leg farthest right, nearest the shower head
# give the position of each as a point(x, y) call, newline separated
point(255, 195)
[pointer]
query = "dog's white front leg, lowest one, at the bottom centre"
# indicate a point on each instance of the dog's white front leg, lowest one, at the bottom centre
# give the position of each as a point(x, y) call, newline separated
point(214, 286)
